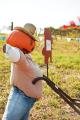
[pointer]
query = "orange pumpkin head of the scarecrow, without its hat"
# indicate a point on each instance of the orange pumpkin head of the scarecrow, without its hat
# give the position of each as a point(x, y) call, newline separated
point(21, 40)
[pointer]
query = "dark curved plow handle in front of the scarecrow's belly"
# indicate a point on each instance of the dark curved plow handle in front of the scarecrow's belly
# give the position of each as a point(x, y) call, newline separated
point(74, 103)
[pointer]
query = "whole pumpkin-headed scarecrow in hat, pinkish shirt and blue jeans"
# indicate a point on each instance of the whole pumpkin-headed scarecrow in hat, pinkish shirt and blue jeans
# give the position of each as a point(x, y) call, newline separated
point(23, 94)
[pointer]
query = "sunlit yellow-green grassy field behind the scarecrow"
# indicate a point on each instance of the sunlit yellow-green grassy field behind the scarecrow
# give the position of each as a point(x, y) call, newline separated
point(64, 71)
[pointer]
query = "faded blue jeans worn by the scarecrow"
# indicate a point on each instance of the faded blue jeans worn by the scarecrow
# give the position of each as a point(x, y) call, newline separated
point(18, 105)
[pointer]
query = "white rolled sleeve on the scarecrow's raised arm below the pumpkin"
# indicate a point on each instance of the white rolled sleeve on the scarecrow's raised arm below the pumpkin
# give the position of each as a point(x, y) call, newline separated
point(12, 53)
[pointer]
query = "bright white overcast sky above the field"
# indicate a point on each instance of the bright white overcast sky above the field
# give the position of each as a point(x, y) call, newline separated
point(42, 13)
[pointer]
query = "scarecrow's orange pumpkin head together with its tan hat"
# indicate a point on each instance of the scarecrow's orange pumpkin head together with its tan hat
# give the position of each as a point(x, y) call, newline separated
point(23, 37)
